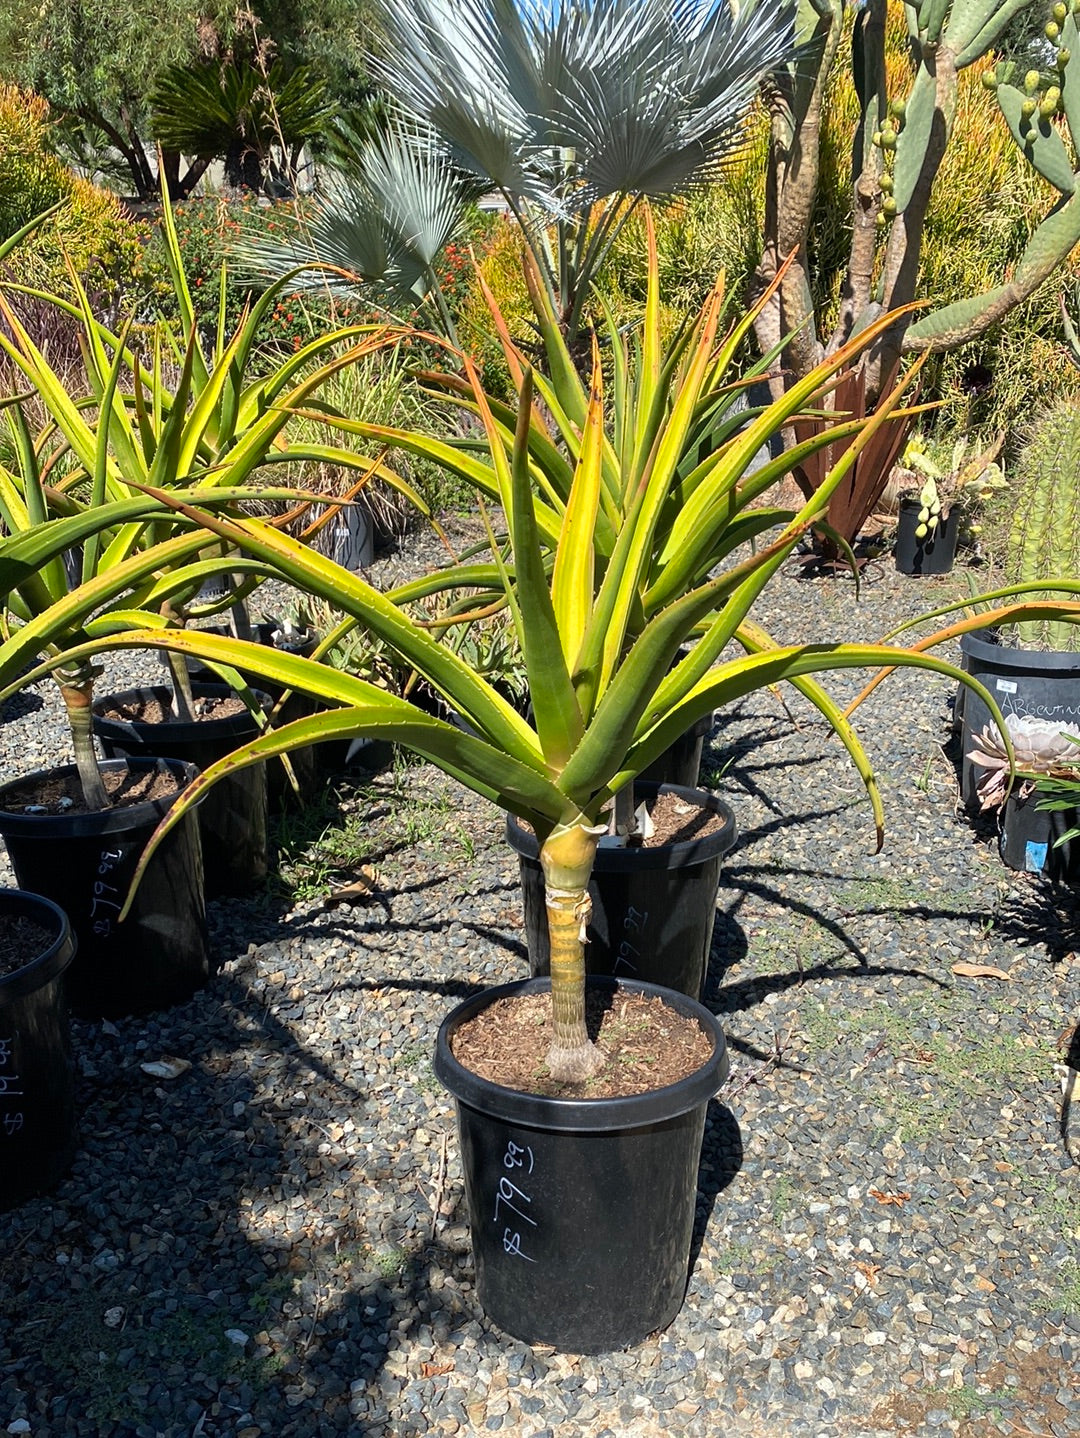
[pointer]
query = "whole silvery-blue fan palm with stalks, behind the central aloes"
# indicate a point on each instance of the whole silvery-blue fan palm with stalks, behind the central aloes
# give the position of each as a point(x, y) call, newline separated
point(573, 113)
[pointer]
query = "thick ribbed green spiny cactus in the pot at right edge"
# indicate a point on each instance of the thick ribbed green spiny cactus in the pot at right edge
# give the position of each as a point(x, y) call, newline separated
point(1045, 540)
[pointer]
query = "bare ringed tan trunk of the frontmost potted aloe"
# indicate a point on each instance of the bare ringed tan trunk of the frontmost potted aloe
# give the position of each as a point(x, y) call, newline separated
point(567, 861)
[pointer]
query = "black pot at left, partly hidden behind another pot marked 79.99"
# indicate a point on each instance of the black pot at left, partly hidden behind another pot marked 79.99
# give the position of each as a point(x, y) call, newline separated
point(232, 818)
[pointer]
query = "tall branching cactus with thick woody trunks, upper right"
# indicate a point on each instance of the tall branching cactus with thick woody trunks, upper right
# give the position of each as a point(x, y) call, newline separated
point(898, 152)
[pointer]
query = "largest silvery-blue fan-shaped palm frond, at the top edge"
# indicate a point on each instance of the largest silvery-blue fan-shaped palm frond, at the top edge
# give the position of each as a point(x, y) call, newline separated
point(570, 104)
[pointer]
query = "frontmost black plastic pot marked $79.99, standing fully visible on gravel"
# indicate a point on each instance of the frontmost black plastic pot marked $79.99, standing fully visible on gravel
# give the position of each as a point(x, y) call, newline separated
point(582, 1210)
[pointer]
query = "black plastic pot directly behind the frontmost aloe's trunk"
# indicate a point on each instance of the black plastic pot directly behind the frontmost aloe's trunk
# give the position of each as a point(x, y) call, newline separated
point(654, 910)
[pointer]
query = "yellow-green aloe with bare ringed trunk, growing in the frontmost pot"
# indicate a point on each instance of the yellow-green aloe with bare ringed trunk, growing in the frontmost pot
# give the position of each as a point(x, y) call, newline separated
point(610, 692)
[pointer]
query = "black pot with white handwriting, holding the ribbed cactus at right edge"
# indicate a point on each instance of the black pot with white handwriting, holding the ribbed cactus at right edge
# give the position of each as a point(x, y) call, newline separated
point(1029, 684)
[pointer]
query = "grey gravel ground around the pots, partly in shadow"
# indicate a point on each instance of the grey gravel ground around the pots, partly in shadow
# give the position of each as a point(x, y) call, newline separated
point(275, 1245)
